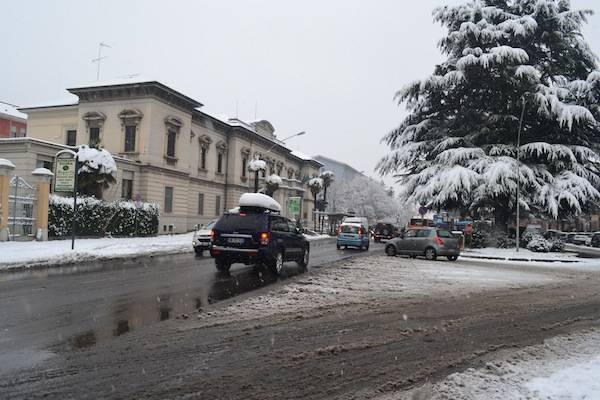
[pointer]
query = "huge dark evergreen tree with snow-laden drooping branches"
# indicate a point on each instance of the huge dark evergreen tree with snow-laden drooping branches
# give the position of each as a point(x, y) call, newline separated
point(457, 148)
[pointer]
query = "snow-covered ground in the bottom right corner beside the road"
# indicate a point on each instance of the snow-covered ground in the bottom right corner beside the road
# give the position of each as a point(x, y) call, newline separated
point(564, 367)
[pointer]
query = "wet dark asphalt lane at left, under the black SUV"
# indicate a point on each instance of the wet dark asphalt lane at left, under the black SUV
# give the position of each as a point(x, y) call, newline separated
point(78, 306)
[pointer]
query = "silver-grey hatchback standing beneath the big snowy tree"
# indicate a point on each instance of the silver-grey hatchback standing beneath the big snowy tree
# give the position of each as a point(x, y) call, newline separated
point(428, 242)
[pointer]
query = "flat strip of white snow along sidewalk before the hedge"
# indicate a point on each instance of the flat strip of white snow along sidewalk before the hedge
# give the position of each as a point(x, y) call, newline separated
point(28, 254)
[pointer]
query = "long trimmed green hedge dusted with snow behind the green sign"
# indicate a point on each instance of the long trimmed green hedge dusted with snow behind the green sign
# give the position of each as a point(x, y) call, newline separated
point(98, 218)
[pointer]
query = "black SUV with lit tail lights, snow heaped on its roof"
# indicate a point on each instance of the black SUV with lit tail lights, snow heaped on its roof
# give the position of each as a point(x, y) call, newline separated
point(256, 236)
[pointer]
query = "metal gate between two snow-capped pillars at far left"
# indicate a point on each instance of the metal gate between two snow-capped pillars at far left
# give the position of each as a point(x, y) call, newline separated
point(21, 206)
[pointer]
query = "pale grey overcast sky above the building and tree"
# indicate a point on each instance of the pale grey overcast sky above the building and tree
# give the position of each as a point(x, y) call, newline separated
point(330, 68)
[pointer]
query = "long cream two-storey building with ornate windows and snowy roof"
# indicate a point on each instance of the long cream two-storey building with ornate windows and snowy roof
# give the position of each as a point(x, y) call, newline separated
point(167, 150)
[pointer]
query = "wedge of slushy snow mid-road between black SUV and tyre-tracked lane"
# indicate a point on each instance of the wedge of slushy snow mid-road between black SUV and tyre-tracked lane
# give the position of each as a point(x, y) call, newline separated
point(370, 280)
